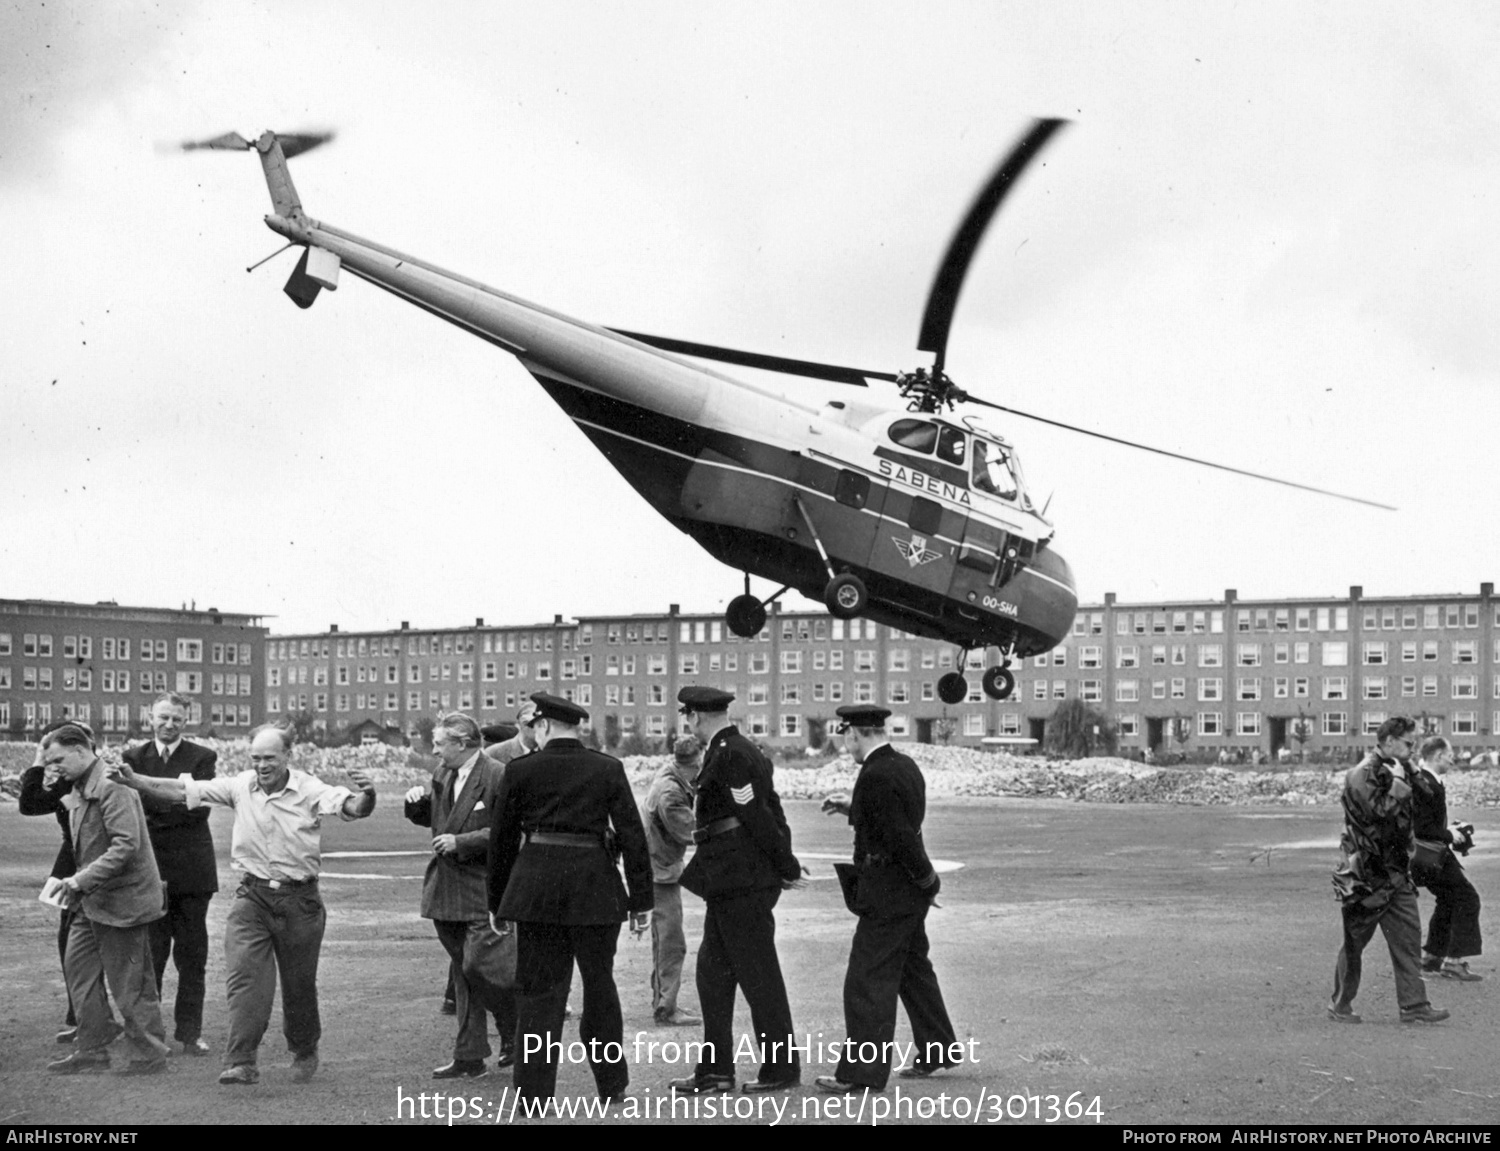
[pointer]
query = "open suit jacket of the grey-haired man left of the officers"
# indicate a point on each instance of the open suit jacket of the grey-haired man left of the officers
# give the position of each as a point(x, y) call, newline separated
point(455, 885)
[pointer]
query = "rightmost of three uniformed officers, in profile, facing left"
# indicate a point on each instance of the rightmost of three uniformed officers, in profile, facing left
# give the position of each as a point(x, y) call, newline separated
point(895, 888)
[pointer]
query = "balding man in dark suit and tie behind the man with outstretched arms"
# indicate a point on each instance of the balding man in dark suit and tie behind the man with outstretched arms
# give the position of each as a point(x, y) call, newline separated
point(184, 849)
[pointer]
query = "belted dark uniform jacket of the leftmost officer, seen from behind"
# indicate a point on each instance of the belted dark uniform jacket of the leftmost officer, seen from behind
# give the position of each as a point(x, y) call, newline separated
point(566, 790)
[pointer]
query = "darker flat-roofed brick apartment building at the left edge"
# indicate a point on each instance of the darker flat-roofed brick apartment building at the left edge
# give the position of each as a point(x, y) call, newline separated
point(106, 664)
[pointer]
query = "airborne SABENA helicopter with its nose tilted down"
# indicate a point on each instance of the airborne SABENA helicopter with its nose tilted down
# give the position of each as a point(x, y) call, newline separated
point(893, 509)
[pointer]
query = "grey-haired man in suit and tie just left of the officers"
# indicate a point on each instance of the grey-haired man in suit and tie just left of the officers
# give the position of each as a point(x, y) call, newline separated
point(460, 810)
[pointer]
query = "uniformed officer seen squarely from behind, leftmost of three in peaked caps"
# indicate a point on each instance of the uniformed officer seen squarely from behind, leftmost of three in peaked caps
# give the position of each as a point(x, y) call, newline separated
point(562, 891)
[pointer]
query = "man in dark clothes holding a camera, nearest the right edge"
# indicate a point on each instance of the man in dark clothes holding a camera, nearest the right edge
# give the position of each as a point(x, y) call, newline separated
point(1453, 933)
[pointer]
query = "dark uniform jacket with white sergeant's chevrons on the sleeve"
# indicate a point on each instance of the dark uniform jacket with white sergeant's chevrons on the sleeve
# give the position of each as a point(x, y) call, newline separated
point(736, 783)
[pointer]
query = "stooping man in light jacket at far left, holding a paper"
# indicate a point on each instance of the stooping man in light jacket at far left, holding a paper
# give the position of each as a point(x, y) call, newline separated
point(116, 894)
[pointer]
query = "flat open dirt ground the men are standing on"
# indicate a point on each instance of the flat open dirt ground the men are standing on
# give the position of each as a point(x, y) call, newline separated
point(1154, 958)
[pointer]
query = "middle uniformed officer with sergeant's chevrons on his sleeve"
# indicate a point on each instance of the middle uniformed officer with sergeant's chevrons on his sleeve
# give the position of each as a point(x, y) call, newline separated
point(745, 859)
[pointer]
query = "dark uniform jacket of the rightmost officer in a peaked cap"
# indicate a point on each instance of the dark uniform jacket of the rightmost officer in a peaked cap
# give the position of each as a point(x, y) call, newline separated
point(887, 813)
